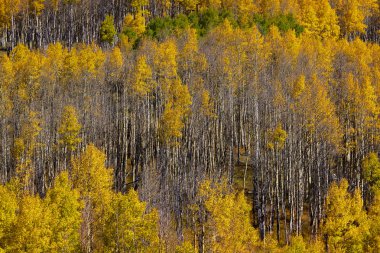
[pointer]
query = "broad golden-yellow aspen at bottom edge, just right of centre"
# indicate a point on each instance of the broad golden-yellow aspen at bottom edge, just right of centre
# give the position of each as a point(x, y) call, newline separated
point(228, 227)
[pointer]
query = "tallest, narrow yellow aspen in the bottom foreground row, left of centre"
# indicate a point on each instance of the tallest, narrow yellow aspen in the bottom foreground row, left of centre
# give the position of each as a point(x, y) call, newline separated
point(94, 182)
